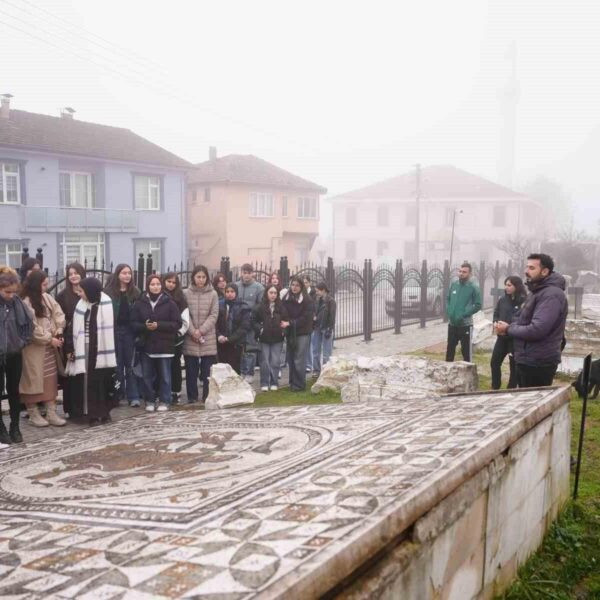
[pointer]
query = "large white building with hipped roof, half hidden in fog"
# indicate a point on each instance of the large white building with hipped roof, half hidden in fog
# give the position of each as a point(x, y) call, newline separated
point(379, 221)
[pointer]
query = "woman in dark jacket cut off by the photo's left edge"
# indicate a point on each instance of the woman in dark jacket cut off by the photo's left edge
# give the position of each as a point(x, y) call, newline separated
point(16, 330)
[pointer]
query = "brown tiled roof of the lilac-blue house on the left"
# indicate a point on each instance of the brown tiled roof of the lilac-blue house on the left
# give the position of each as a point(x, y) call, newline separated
point(33, 131)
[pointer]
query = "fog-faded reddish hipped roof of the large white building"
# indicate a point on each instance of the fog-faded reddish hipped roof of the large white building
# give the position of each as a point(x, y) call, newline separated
point(439, 181)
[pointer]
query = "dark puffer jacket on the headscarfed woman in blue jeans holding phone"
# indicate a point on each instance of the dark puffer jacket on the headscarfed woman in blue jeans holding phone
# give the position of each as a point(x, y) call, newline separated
point(166, 314)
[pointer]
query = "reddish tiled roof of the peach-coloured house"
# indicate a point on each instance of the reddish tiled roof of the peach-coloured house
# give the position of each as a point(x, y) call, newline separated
point(249, 169)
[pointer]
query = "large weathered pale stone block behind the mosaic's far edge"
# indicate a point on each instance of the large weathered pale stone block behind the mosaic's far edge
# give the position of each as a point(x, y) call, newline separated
point(398, 377)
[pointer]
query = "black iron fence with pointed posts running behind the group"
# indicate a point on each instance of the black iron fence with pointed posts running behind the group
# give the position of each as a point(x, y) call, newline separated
point(369, 298)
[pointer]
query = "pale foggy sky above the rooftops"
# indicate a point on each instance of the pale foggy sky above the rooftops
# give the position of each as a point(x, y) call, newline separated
point(342, 93)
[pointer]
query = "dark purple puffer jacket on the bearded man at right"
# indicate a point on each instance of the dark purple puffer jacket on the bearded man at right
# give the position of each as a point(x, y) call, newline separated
point(539, 329)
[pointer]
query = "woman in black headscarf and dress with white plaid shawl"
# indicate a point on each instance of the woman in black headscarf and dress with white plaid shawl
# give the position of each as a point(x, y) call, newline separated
point(91, 353)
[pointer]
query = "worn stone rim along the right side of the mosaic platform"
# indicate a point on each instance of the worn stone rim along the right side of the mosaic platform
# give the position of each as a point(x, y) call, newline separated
point(378, 531)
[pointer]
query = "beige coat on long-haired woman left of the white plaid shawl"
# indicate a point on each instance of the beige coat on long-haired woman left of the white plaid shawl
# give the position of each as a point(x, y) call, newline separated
point(44, 329)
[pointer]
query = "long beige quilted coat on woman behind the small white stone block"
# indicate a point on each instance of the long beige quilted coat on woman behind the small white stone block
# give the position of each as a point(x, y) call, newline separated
point(203, 304)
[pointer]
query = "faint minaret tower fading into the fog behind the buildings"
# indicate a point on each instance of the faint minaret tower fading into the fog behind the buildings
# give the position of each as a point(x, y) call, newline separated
point(508, 97)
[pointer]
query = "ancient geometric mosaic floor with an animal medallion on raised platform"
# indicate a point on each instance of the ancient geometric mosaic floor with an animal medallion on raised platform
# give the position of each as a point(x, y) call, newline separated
point(232, 504)
